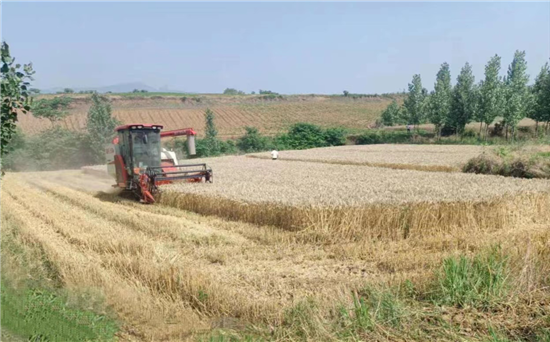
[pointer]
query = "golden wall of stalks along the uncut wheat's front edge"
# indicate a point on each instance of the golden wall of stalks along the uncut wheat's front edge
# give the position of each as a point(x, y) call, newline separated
point(376, 221)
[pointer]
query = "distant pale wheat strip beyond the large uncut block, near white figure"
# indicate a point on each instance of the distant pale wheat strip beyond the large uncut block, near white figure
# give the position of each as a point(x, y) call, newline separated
point(443, 158)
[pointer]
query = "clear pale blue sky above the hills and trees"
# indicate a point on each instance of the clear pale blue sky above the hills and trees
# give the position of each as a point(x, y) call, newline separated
point(285, 47)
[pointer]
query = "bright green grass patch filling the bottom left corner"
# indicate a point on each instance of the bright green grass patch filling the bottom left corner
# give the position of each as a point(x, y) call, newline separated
point(42, 315)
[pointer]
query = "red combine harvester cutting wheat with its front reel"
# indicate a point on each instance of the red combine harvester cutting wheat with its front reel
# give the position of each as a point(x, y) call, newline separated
point(140, 165)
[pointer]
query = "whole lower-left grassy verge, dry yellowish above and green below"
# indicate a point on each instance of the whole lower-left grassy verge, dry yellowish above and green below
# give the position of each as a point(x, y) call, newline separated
point(35, 307)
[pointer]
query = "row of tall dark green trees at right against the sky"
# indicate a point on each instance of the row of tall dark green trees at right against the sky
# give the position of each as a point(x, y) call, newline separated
point(450, 108)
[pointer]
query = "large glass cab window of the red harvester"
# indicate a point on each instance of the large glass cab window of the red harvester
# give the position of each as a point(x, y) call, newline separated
point(146, 148)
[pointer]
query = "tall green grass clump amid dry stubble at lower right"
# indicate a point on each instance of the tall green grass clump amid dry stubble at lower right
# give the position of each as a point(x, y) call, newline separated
point(481, 281)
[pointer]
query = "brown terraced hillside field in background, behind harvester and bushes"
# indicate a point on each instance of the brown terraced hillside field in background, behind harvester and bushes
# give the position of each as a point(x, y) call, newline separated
point(270, 117)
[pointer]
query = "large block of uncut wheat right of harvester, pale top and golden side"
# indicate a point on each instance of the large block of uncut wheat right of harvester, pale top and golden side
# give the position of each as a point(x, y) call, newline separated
point(329, 203)
